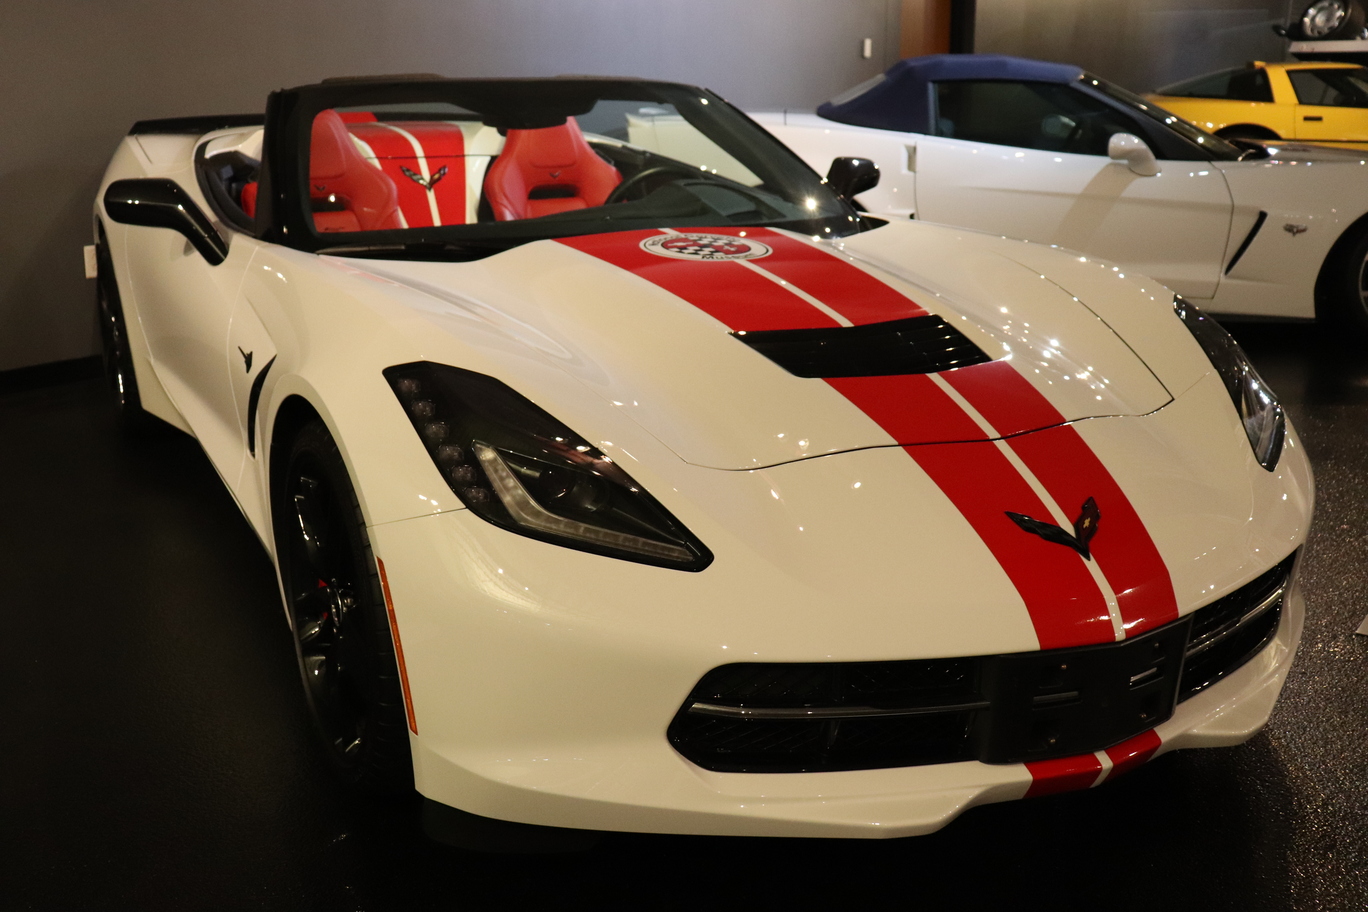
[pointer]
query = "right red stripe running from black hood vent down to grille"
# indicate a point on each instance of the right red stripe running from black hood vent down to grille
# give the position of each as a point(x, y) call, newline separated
point(1070, 471)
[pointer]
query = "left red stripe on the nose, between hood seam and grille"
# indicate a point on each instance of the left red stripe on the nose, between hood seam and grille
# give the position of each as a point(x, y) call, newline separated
point(1066, 608)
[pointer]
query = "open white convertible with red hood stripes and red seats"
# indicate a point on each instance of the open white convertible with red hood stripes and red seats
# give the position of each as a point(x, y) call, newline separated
point(622, 477)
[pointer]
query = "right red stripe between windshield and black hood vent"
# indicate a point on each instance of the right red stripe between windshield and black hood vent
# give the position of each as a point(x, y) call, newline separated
point(845, 288)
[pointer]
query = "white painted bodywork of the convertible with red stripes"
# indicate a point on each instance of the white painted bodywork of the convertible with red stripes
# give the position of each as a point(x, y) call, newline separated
point(544, 678)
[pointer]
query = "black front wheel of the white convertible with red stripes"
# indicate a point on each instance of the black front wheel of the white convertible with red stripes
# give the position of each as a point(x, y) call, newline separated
point(337, 609)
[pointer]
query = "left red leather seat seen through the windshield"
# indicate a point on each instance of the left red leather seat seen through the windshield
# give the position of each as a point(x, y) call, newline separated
point(347, 191)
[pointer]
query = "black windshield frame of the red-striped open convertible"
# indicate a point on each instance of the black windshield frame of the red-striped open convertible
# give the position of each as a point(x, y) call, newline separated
point(285, 217)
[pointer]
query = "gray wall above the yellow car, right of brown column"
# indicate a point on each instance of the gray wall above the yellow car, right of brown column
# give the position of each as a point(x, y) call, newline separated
point(1140, 44)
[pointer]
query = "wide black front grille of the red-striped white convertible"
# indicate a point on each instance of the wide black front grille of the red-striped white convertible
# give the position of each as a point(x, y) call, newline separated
point(763, 717)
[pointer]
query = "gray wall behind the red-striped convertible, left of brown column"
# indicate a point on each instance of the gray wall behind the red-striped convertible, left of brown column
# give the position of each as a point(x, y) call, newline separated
point(79, 73)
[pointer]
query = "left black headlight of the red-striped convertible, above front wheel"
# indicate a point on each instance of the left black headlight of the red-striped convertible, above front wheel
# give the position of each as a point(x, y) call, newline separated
point(518, 467)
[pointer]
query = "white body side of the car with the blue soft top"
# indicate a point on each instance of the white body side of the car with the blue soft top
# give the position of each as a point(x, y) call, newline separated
point(1181, 228)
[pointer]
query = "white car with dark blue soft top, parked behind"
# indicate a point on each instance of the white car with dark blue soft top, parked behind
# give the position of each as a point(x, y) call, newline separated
point(1050, 154)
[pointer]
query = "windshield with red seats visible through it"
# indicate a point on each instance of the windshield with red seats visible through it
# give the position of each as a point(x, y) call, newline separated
point(488, 165)
